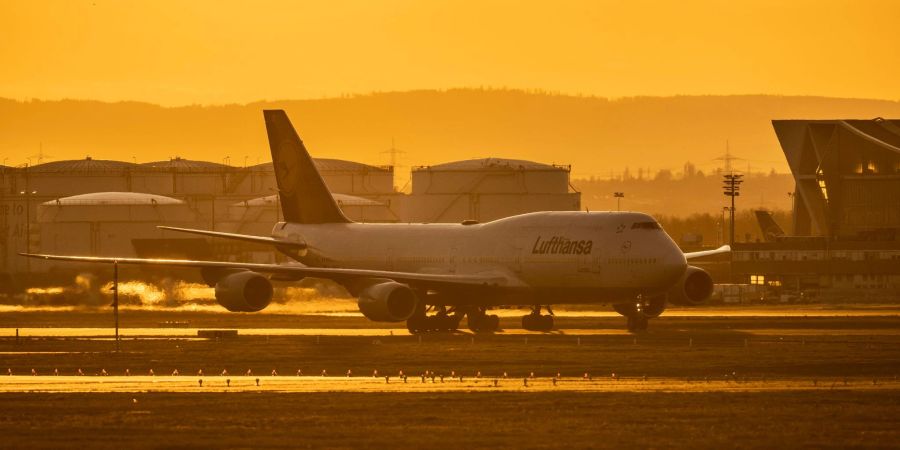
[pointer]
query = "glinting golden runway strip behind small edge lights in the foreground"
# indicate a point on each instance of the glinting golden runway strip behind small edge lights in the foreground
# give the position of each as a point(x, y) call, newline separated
point(188, 384)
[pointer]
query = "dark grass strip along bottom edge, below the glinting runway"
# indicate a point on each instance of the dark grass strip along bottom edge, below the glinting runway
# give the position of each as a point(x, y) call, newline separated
point(832, 419)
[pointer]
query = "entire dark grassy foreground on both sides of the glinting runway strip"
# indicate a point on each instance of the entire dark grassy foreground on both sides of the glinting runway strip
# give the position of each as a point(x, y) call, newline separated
point(865, 350)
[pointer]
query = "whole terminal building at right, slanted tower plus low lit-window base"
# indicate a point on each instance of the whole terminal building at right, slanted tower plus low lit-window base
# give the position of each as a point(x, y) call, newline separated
point(846, 210)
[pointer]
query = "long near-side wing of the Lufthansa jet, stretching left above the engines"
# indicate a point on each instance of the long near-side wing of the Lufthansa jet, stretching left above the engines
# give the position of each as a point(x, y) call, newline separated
point(296, 271)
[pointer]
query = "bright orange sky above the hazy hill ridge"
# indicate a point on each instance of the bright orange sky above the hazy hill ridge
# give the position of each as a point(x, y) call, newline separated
point(176, 53)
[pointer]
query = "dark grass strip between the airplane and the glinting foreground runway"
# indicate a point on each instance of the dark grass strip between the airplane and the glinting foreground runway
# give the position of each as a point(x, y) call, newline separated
point(674, 347)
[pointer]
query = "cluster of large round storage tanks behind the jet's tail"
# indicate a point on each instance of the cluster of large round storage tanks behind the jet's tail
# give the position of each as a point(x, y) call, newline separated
point(103, 207)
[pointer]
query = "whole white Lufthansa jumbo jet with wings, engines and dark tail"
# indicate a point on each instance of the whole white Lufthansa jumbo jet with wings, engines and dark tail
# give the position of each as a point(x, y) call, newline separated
point(433, 275)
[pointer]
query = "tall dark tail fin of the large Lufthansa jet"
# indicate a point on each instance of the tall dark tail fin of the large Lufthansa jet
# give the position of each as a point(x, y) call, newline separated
point(301, 189)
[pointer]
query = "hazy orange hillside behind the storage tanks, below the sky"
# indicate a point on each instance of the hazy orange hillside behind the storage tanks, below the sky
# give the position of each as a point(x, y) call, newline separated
point(597, 136)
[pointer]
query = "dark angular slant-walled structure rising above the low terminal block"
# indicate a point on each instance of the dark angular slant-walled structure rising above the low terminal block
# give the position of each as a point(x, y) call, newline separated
point(847, 175)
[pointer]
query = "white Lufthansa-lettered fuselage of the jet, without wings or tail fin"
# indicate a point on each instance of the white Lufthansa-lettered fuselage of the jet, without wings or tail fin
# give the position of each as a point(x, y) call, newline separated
point(551, 257)
